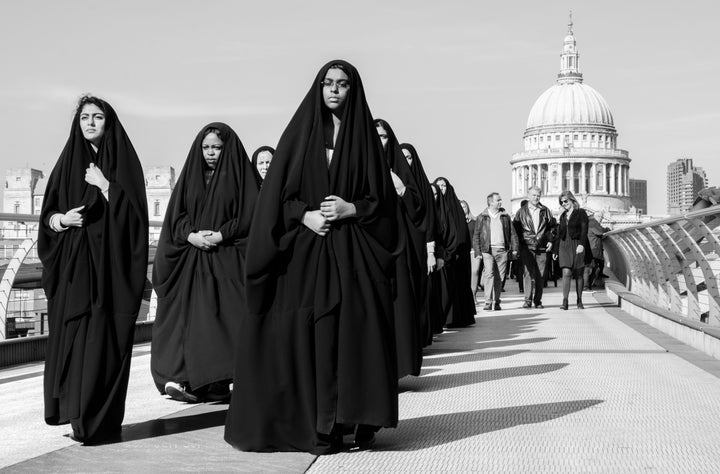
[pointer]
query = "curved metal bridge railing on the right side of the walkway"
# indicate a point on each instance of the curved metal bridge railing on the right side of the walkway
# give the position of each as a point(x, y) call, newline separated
point(672, 263)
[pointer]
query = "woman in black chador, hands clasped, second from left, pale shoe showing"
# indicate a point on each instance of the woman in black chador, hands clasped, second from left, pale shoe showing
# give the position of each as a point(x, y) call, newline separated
point(199, 266)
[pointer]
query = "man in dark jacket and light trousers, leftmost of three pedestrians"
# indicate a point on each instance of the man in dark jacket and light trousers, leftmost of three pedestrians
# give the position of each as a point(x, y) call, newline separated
point(493, 238)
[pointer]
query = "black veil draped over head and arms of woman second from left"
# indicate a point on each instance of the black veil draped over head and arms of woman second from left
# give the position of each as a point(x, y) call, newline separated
point(224, 204)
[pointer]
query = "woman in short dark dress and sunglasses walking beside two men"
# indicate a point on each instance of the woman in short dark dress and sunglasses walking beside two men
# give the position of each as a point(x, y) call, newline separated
point(570, 246)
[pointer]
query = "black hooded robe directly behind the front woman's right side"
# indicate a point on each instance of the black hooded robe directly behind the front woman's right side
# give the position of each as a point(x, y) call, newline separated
point(410, 269)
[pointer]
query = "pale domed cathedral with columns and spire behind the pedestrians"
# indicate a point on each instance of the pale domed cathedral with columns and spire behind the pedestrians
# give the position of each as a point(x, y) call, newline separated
point(570, 142)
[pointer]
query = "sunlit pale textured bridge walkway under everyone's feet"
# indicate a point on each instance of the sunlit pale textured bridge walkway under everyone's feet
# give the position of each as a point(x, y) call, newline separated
point(523, 390)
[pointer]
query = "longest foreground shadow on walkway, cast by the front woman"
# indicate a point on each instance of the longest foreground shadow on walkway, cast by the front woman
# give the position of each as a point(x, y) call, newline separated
point(429, 431)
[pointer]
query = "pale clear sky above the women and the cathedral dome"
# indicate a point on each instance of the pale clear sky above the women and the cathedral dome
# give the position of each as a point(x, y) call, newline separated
point(455, 78)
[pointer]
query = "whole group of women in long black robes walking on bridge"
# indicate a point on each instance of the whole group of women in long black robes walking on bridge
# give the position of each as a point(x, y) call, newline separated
point(311, 291)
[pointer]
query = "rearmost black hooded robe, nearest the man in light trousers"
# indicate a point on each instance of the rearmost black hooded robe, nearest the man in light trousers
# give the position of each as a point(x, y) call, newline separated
point(458, 266)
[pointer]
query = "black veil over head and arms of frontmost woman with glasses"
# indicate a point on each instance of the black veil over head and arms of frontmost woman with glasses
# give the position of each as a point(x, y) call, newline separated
point(301, 180)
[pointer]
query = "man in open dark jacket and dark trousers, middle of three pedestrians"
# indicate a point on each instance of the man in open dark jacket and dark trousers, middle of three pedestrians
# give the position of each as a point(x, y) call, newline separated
point(534, 225)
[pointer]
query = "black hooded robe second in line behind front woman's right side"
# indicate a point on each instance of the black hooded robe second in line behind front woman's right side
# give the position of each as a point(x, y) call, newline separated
point(431, 234)
